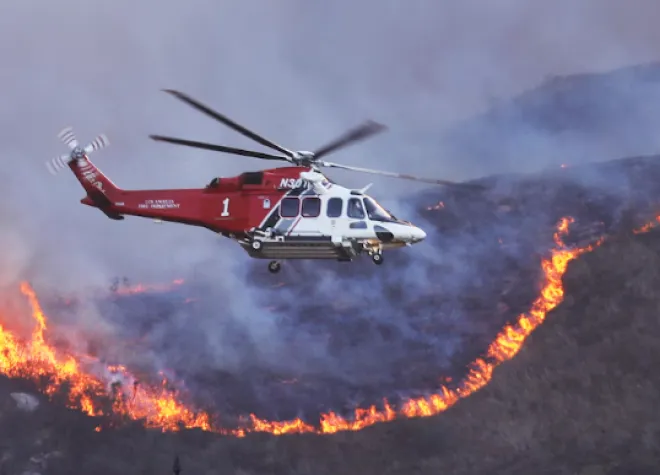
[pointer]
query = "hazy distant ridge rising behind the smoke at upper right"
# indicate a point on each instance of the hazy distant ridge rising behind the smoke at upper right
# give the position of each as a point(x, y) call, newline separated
point(572, 119)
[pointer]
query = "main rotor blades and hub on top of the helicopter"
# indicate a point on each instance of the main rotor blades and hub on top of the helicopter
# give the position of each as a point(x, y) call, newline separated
point(298, 158)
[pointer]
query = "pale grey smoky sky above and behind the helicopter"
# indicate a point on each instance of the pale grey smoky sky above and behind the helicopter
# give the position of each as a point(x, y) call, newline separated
point(299, 72)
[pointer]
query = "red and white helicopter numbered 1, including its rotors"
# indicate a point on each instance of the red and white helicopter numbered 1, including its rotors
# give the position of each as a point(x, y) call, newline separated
point(289, 212)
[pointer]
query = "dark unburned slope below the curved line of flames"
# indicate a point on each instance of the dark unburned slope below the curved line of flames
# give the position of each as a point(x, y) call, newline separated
point(581, 397)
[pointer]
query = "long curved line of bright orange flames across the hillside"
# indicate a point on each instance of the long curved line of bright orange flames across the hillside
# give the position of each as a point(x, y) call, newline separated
point(161, 407)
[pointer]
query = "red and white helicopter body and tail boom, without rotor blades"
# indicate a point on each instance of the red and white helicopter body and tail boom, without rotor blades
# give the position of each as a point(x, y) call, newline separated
point(281, 213)
